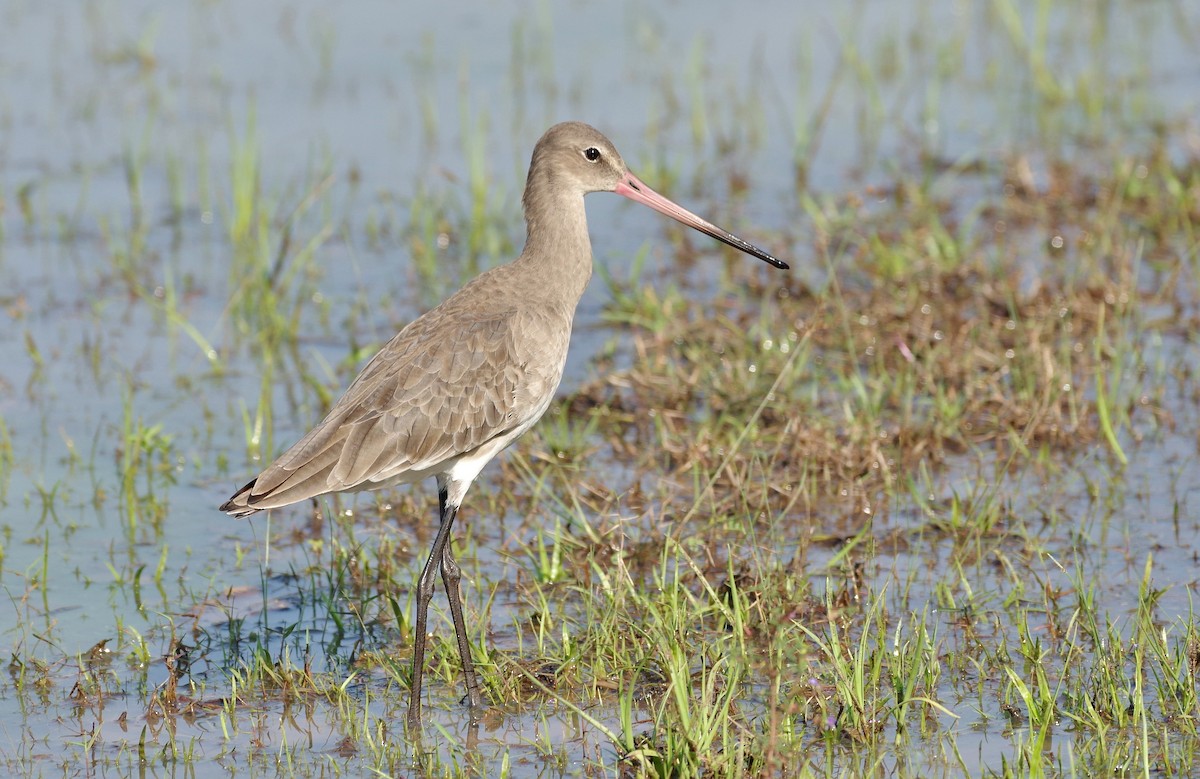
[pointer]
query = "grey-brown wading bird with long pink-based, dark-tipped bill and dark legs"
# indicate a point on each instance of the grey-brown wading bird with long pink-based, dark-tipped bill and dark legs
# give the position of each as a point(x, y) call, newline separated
point(465, 380)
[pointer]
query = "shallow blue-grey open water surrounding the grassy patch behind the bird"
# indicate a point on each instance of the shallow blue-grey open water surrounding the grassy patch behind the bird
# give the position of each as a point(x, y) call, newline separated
point(121, 124)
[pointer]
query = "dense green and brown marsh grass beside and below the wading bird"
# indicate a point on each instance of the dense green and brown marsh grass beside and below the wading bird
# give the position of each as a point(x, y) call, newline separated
point(777, 577)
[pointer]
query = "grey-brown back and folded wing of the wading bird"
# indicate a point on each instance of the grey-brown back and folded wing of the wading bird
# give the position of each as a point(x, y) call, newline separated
point(482, 367)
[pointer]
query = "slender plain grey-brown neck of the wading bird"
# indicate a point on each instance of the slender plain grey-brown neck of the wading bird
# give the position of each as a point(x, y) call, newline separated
point(559, 250)
